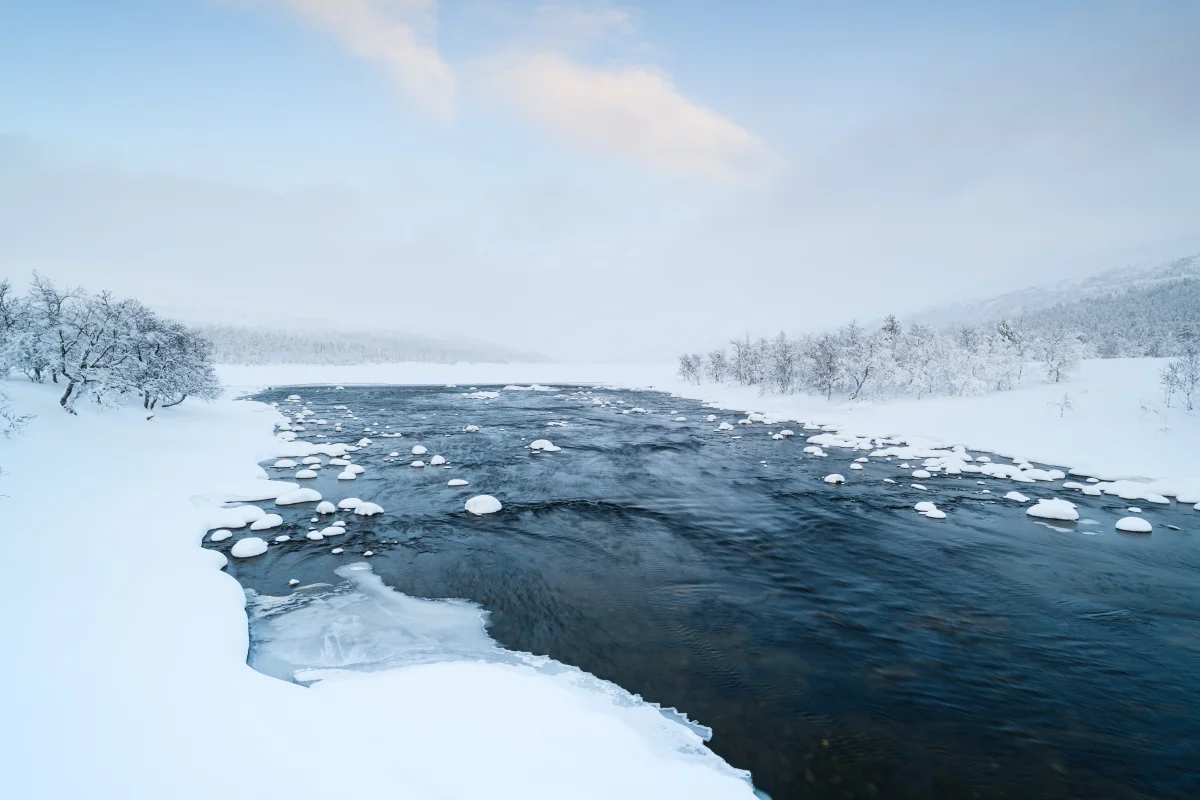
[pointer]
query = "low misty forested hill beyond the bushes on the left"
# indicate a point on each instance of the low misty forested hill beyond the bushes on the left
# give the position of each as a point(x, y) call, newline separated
point(259, 346)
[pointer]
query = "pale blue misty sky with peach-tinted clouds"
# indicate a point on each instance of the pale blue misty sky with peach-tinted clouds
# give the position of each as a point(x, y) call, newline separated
point(591, 181)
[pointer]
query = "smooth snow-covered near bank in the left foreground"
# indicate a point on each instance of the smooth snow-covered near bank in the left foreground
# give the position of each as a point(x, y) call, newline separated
point(127, 673)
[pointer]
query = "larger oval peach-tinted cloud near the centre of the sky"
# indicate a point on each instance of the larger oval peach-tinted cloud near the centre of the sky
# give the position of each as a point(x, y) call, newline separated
point(635, 115)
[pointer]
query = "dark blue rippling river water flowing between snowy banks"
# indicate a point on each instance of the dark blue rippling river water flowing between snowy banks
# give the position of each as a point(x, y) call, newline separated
point(838, 643)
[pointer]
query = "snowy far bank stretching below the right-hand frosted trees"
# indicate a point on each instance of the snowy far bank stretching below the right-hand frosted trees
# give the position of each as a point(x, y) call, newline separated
point(1117, 428)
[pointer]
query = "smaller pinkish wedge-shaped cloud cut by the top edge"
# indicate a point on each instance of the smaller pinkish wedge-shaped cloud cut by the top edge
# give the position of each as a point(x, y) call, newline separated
point(389, 32)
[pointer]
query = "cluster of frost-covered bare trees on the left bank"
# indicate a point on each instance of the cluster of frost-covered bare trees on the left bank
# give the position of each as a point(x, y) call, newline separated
point(99, 348)
